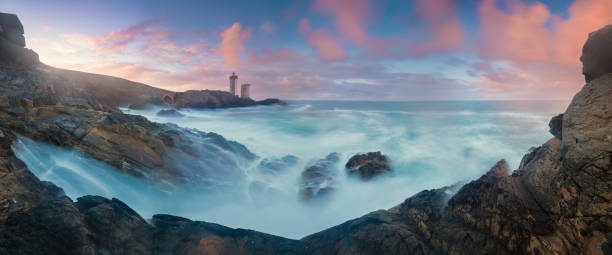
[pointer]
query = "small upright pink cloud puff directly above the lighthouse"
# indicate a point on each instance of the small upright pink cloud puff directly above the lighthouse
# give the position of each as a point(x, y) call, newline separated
point(232, 44)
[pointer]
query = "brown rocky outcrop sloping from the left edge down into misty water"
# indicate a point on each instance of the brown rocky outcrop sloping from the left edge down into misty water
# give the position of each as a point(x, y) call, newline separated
point(42, 108)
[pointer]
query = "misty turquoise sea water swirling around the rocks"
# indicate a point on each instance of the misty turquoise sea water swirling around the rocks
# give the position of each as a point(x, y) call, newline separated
point(430, 144)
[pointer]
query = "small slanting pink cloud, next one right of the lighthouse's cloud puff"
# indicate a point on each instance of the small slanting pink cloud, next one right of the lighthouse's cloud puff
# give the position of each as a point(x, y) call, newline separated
point(328, 48)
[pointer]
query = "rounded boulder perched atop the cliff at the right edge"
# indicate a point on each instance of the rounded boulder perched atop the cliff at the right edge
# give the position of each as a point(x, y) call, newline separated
point(597, 54)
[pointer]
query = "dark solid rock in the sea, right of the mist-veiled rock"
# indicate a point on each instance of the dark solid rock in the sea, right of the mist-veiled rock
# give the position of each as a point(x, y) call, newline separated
point(368, 165)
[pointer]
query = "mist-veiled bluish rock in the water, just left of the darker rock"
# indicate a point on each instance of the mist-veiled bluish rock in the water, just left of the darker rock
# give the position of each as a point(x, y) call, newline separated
point(319, 178)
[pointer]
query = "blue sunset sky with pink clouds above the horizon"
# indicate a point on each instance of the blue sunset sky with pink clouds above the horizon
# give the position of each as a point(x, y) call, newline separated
point(325, 49)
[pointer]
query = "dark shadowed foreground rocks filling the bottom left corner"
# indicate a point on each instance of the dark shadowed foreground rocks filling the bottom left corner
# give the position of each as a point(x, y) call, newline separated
point(36, 218)
